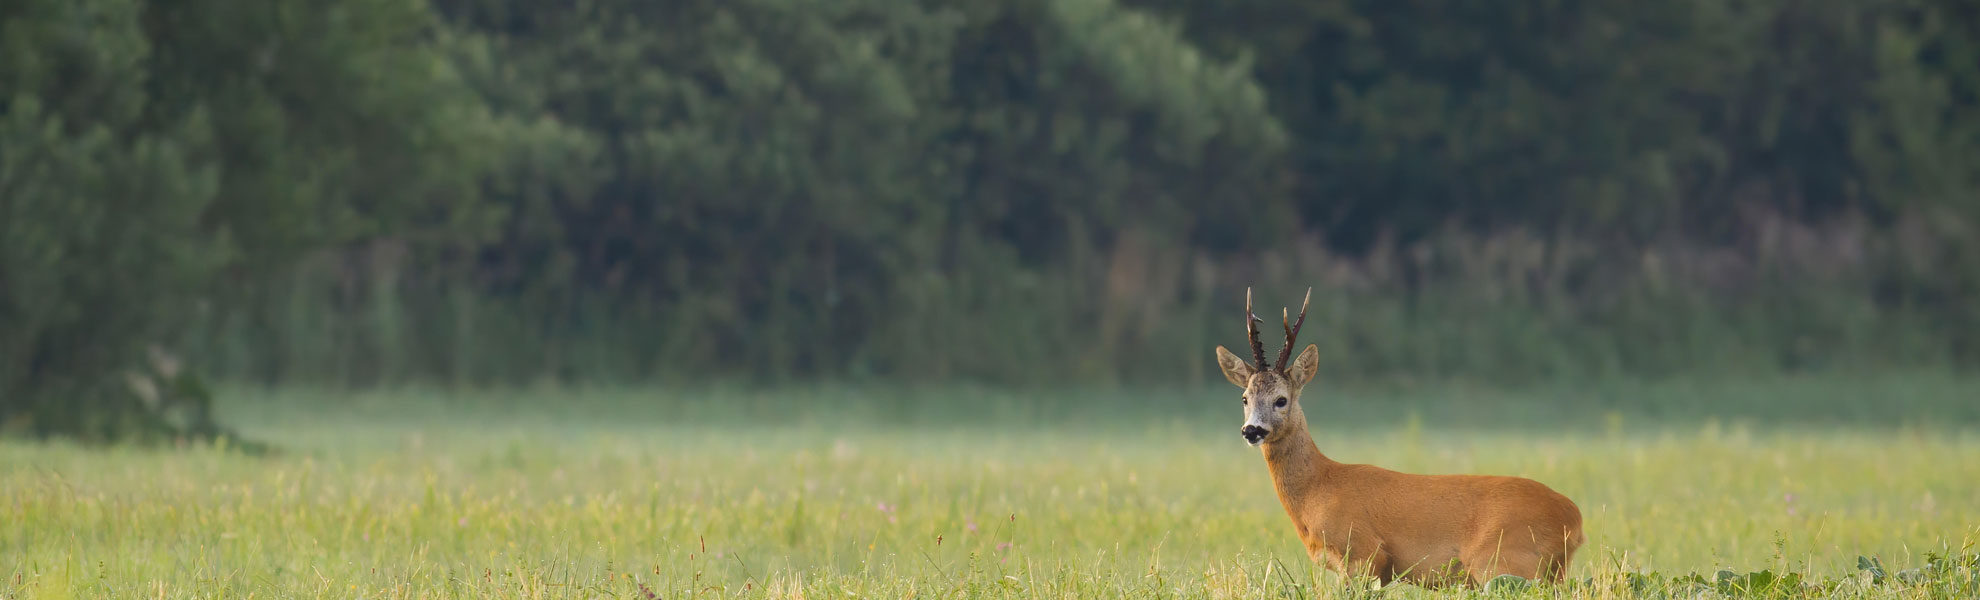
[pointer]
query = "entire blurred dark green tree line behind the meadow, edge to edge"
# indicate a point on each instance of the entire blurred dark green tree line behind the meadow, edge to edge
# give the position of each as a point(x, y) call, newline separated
point(1017, 191)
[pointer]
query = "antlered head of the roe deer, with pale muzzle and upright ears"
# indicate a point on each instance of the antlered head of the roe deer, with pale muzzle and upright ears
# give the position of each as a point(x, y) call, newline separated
point(1270, 393)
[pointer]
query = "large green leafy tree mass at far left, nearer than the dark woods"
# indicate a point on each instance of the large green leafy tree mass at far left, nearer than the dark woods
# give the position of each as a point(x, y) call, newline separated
point(149, 150)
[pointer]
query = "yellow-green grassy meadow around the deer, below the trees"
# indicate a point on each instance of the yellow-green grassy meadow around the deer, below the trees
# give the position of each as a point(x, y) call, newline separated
point(965, 494)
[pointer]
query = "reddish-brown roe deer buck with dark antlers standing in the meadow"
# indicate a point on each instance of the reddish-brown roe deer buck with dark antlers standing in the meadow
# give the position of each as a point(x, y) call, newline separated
point(1369, 522)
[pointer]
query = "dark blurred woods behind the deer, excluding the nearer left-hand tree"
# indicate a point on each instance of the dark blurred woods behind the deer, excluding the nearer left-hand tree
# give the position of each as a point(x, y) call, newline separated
point(1074, 191)
